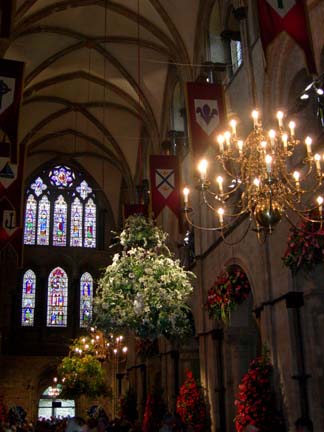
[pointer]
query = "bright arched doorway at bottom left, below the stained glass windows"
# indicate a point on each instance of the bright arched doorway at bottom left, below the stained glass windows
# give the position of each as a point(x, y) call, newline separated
point(50, 405)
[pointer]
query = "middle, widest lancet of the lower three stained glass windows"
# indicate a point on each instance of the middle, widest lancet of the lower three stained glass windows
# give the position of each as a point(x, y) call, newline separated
point(57, 297)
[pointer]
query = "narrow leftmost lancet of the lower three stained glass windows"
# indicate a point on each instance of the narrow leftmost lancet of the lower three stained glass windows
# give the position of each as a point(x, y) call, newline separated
point(28, 299)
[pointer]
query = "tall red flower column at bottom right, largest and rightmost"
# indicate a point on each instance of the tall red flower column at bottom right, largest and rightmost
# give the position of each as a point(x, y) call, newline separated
point(255, 402)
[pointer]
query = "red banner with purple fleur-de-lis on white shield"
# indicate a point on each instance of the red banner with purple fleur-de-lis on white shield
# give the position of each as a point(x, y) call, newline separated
point(206, 114)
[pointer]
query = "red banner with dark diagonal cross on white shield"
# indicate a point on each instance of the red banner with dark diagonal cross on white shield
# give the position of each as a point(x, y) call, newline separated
point(165, 192)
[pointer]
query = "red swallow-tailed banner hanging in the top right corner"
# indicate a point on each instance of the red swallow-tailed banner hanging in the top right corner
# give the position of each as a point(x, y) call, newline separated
point(276, 16)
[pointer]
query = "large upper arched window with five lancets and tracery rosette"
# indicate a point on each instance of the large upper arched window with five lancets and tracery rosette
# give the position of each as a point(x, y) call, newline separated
point(60, 210)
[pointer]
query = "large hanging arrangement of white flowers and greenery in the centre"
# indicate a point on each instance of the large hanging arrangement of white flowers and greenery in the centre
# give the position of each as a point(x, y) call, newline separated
point(144, 290)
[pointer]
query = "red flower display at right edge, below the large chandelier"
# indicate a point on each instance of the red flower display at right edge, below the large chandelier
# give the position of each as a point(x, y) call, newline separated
point(305, 247)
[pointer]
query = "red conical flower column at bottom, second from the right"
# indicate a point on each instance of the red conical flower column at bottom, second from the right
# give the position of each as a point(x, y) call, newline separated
point(191, 405)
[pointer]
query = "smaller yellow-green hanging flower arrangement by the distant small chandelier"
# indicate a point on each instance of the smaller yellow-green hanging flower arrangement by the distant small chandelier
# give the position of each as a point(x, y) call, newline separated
point(82, 373)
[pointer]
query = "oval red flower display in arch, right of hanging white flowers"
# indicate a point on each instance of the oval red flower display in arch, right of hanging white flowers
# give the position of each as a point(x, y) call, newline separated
point(230, 289)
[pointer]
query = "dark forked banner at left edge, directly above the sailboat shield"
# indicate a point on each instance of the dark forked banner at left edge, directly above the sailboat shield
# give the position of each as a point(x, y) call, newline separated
point(11, 84)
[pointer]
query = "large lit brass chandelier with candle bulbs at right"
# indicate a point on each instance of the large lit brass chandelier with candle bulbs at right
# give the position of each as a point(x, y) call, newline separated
point(261, 179)
